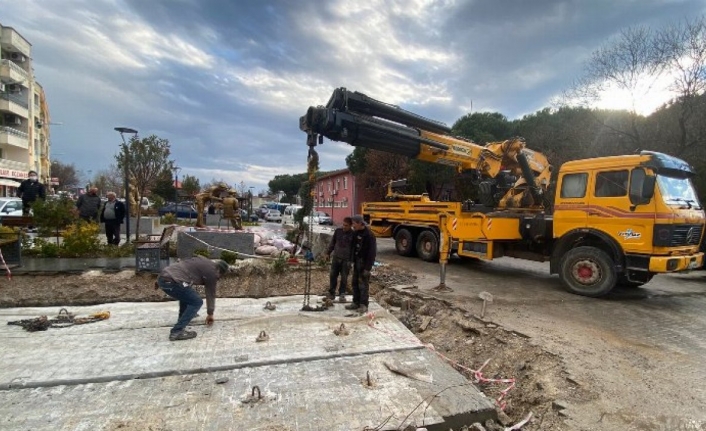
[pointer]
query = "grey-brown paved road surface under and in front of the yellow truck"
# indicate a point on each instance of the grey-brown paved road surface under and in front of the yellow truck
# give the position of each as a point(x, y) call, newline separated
point(640, 351)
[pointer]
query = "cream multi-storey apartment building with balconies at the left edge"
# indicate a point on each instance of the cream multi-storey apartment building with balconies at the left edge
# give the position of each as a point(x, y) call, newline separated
point(24, 115)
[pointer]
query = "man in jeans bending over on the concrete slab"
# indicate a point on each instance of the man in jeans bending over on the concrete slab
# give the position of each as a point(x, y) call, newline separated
point(177, 280)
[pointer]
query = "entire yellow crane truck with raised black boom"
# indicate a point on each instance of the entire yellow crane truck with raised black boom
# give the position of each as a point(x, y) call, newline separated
point(600, 222)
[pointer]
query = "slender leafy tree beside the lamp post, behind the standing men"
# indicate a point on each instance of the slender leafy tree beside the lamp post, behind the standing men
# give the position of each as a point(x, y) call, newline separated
point(145, 160)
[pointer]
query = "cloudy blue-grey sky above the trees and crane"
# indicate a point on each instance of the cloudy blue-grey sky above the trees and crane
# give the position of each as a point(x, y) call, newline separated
point(227, 80)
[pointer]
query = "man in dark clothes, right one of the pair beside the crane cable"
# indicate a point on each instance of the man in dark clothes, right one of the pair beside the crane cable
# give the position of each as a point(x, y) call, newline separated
point(364, 252)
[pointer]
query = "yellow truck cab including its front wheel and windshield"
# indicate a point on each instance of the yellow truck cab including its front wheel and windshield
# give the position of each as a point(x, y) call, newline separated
point(623, 219)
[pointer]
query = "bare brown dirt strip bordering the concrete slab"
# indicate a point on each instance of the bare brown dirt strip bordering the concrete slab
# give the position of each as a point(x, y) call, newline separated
point(467, 342)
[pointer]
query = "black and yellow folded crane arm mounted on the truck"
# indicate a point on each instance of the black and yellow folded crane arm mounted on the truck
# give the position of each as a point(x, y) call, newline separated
point(514, 175)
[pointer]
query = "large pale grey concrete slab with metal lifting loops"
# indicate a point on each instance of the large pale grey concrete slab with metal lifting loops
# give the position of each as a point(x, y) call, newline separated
point(124, 373)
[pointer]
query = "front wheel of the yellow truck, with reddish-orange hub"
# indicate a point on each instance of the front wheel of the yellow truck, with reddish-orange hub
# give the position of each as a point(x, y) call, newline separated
point(588, 271)
